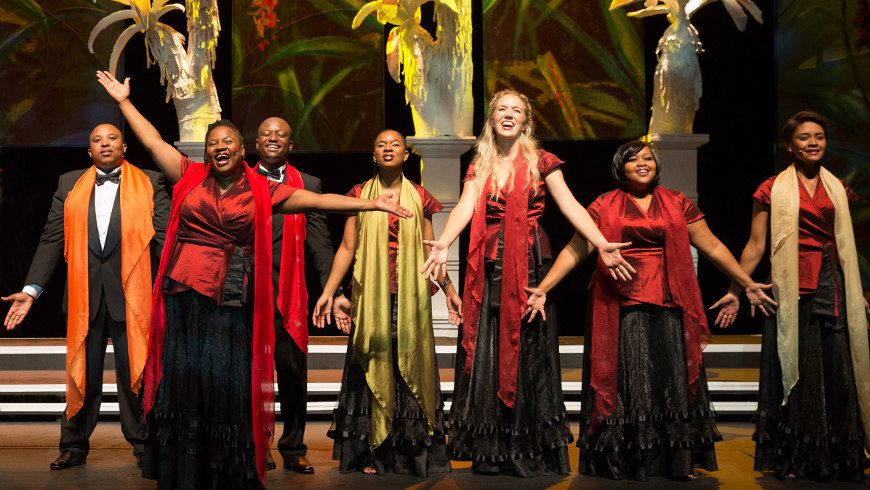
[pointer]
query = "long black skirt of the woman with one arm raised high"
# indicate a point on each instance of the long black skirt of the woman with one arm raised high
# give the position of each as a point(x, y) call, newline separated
point(199, 433)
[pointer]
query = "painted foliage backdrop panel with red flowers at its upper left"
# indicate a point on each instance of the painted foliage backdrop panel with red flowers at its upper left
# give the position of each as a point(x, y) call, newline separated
point(300, 60)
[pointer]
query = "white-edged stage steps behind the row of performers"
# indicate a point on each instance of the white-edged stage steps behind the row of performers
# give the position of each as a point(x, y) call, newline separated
point(32, 375)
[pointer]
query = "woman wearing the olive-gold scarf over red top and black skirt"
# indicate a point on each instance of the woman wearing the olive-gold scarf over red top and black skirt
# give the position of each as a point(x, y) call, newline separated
point(389, 416)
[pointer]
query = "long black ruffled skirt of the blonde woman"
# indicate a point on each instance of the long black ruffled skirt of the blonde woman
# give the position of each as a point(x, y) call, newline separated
point(531, 438)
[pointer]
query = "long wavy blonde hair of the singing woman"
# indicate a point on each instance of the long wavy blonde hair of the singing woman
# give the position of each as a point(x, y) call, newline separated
point(487, 154)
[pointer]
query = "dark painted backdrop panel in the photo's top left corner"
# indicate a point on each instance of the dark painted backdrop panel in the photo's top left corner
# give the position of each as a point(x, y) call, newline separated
point(50, 97)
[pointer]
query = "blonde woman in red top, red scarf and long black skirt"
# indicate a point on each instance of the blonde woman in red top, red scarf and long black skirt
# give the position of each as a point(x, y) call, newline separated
point(508, 412)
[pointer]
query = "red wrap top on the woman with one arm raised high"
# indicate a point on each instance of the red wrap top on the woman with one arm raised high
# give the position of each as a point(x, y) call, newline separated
point(210, 225)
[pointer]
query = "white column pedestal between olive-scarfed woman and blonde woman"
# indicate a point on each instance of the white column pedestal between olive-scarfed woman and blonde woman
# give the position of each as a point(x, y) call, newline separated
point(441, 177)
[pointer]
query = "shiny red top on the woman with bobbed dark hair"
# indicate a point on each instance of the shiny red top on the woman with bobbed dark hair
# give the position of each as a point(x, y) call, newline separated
point(646, 232)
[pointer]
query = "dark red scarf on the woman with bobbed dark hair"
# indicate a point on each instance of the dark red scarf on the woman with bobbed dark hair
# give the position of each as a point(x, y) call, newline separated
point(683, 286)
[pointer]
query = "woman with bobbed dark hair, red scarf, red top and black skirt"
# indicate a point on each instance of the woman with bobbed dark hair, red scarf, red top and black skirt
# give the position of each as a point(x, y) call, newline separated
point(646, 409)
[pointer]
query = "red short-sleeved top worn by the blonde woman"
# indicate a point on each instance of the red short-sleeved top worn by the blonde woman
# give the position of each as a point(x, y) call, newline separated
point(495, 206)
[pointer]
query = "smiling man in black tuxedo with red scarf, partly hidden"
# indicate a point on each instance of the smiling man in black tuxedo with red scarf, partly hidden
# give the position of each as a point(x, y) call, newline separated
point(274, 142)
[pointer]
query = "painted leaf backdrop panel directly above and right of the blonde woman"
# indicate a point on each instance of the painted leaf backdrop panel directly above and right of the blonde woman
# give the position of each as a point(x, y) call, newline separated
point(581, 64)
